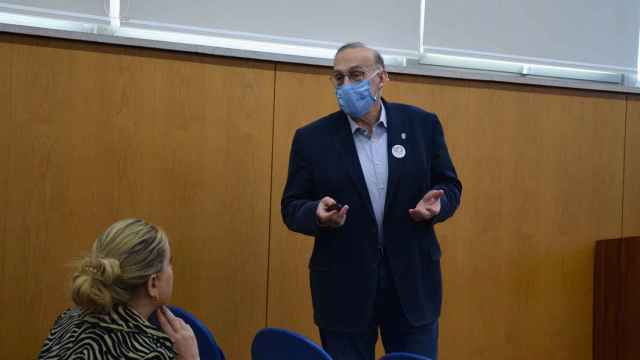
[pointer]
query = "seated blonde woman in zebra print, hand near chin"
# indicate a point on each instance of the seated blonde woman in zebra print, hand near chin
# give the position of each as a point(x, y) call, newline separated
point(124, 279)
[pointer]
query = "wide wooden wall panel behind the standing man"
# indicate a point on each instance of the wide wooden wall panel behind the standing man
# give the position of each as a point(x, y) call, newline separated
point(518, 257)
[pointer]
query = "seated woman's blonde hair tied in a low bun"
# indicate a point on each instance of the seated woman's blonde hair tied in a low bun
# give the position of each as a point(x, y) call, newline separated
point(120, 263)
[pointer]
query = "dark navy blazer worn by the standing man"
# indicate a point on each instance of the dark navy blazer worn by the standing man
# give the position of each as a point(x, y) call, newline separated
point(343, 265)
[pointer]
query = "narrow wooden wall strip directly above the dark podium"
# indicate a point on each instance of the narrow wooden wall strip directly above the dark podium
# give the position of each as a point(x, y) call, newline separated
point(631, 221)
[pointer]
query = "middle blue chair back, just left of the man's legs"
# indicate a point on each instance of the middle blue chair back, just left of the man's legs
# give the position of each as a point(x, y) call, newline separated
point(280, 344)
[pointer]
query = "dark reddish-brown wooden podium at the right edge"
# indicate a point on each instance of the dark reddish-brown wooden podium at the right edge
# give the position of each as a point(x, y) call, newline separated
point(616, 300)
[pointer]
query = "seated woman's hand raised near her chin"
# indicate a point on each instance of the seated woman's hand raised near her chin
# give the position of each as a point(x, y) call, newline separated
point(180, 333)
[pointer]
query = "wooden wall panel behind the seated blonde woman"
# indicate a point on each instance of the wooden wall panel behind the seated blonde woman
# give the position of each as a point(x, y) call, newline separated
point(97, 133)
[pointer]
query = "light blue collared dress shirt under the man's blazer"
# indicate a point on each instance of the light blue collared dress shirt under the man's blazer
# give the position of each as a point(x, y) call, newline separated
point(373, 156)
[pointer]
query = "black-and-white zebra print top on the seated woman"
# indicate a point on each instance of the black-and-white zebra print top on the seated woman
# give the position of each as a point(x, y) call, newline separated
point(121, 334)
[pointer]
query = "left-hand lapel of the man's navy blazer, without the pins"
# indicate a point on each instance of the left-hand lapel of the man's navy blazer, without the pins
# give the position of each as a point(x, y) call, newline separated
point(349, 158)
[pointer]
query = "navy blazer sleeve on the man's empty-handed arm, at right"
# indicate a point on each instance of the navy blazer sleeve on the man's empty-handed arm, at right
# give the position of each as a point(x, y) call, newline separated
point(443, 174)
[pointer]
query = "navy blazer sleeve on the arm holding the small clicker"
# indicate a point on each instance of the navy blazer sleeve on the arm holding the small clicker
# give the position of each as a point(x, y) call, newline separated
point(297, 205)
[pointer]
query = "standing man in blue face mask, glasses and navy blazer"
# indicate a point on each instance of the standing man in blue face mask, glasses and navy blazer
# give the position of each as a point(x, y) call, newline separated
point(369, 182)
